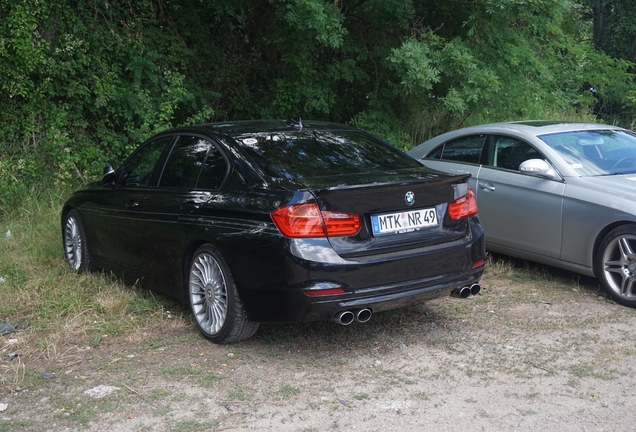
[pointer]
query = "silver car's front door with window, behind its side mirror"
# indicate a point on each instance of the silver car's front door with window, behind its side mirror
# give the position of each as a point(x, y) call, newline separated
point(518, 211)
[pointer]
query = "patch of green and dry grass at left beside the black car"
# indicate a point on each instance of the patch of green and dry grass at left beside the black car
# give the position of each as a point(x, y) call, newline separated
point(50, 304)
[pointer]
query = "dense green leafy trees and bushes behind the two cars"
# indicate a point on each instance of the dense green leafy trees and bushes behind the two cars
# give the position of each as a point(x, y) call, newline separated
point(83, 82)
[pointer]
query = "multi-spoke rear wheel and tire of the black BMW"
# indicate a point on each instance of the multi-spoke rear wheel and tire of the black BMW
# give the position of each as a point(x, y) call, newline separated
point(214, 299)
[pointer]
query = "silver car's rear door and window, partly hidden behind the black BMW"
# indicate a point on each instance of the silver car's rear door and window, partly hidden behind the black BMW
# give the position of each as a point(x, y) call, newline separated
point(459, 156)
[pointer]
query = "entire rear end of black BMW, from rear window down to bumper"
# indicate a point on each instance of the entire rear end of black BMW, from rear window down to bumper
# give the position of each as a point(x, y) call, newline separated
point(363, 228)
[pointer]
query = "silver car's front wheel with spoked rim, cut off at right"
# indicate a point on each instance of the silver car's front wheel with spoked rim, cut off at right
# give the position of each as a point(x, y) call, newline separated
point(616, 264)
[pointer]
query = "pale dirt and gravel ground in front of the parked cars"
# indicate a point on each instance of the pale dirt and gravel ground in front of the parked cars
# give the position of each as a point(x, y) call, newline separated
point(524, 355)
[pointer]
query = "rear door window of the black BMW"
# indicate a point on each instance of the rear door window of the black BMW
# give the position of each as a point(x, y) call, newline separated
point(185, 162)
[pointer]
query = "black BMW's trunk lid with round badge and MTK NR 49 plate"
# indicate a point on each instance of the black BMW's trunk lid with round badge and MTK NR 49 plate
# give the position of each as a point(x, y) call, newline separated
point(381, 199)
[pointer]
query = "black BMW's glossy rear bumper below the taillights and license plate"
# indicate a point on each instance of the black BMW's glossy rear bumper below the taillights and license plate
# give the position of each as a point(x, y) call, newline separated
point(276, 293)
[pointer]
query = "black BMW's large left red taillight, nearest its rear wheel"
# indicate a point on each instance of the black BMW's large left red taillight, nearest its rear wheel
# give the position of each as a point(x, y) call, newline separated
point(306, 220)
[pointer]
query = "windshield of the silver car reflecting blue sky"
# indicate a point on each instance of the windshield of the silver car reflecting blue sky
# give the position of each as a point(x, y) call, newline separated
point(591, 153)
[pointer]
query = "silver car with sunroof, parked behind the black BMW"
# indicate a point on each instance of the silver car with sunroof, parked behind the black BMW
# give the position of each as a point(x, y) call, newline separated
point(557, 193)
